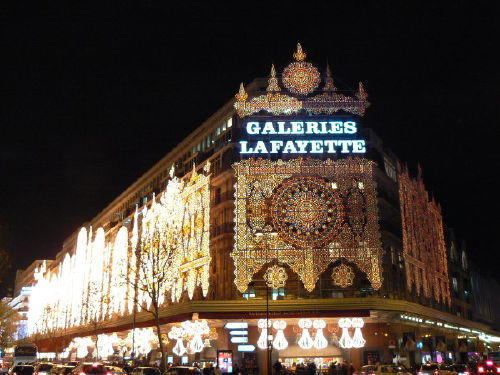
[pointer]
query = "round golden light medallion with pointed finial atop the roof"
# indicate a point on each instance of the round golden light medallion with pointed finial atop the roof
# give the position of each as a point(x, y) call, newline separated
point(301, 77)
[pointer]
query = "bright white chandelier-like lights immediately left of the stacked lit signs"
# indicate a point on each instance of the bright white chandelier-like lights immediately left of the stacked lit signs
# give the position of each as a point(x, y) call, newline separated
point(193, 331)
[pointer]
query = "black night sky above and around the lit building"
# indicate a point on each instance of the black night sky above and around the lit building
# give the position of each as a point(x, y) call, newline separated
point(94, 96)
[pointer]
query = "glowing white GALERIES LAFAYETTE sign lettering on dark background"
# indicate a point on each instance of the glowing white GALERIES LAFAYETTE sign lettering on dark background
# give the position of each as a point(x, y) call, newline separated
point(301, 137)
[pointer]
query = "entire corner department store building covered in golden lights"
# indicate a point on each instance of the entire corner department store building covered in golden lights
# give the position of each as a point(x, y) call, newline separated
point(280, 213)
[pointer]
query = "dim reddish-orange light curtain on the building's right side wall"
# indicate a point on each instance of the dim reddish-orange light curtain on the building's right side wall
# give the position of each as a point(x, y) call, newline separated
point(424, 250)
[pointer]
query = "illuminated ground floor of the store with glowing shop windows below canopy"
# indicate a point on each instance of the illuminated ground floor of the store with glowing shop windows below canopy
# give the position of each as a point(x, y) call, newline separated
point(233, 333)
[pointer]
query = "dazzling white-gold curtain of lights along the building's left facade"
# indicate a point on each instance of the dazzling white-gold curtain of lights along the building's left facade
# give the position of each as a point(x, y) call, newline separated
point(98, 280)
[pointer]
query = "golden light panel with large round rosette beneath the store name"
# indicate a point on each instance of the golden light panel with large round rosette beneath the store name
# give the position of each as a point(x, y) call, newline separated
point(305, 213)
